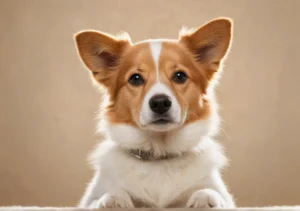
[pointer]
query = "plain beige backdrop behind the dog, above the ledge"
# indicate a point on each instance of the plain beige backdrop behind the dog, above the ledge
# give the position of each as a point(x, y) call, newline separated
point(48, 105)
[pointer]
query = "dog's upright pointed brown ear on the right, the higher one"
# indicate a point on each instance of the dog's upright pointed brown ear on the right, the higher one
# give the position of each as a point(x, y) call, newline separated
point(210, 43)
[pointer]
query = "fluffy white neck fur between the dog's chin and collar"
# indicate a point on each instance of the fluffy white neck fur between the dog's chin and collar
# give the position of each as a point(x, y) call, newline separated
point(176, 141)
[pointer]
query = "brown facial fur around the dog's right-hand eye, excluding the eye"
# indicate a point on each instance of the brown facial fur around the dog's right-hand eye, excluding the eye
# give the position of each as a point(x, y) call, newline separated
point(175, 57)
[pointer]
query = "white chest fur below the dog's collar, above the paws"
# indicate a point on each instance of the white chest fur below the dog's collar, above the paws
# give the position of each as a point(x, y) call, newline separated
point(156, 183)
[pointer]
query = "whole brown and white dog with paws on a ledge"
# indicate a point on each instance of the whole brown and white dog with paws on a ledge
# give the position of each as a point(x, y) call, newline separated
point(159, 119)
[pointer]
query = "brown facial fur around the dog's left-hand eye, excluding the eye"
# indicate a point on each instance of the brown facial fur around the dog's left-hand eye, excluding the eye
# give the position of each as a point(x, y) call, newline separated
point(125, 105)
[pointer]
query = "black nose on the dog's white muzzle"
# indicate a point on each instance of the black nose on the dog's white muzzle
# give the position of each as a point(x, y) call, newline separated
point(160, 104)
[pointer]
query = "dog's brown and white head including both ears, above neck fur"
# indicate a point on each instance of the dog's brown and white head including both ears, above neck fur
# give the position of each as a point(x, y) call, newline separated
point(157, 85)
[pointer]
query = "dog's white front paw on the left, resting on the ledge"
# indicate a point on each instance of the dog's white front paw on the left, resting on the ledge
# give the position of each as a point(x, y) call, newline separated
point(113, 201)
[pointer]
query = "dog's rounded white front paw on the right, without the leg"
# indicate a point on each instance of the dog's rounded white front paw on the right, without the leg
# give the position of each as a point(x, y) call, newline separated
point(206, 198)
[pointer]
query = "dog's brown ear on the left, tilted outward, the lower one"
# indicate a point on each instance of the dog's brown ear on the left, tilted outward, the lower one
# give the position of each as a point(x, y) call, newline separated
point(101, 52)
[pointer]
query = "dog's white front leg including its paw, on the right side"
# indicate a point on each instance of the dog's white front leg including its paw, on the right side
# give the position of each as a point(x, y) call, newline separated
point(215, 194)
